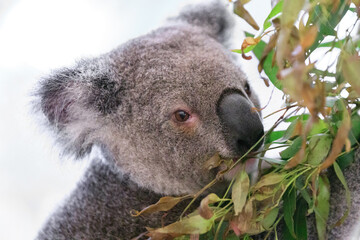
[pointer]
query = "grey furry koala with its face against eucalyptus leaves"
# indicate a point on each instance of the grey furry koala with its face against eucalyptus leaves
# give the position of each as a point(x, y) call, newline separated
point(158, 107)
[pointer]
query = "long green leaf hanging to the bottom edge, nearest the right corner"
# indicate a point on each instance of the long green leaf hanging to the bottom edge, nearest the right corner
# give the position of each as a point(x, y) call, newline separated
point(322, 206)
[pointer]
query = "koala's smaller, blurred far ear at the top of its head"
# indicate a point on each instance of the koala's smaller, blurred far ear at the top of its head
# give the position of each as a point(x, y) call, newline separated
point(213, 17)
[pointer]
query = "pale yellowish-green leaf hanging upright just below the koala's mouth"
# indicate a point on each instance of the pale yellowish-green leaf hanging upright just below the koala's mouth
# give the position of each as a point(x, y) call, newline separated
point(240, 190)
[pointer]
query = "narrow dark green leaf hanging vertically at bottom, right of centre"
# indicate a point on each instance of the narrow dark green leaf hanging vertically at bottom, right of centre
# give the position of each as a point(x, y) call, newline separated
point(289, 199)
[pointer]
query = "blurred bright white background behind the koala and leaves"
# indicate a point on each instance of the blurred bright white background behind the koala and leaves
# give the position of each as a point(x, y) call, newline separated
point(37, 36)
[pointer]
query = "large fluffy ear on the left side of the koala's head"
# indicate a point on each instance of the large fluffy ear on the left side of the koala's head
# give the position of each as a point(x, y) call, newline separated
point(75, 100)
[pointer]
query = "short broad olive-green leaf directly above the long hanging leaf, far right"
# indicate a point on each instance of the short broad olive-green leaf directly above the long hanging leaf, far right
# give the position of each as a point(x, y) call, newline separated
point(319, 147)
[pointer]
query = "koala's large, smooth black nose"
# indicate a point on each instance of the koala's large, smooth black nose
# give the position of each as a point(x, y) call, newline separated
point(241, 125)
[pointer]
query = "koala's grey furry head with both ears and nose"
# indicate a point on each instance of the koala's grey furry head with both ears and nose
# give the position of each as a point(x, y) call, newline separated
point(159, 105)
